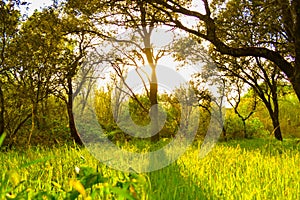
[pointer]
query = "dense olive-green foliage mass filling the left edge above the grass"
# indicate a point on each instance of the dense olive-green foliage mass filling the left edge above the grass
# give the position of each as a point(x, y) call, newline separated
point(35, 58)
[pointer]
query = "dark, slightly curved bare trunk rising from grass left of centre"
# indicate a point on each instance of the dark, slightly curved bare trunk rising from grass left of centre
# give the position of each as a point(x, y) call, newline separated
point(72, 125)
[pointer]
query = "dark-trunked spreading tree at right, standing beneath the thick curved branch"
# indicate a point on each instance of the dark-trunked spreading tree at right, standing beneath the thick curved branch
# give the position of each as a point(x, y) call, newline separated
point(257, 73)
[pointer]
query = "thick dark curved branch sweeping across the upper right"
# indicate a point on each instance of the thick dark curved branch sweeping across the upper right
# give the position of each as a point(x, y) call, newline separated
point(170, 6)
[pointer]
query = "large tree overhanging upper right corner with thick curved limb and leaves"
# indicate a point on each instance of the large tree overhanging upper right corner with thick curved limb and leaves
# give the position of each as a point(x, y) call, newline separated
point(275, 36)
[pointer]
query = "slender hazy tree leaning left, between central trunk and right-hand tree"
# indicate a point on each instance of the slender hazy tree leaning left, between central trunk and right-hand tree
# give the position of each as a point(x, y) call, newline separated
point(210, 84)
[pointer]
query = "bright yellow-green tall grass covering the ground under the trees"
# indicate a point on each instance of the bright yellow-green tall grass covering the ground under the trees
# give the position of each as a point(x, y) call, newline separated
point(239, 169)
